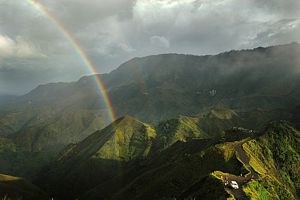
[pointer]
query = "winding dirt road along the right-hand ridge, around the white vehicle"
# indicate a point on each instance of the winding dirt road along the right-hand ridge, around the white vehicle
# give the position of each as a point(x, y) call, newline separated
point(241, 180)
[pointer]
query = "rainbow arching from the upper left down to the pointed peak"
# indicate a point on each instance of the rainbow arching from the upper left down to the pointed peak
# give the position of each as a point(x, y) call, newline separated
point(79, 51)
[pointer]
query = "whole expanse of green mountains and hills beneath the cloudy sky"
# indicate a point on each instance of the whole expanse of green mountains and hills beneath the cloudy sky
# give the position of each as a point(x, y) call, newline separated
point(184, 123)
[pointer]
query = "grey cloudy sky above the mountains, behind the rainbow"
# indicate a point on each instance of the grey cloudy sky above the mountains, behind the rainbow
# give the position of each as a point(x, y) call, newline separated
point(34, 51)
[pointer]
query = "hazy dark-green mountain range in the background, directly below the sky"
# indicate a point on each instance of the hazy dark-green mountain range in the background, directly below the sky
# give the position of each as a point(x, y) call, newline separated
point(153, 89)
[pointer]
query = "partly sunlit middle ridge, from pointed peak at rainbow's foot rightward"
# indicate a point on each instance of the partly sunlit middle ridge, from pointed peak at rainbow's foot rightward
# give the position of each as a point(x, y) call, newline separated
point(116, 149)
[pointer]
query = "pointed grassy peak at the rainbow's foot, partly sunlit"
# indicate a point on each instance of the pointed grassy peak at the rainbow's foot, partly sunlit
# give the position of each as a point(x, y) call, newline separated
point(99, 157)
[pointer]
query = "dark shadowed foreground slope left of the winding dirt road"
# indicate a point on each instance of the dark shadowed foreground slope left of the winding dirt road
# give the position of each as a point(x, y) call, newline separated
point(181, 171)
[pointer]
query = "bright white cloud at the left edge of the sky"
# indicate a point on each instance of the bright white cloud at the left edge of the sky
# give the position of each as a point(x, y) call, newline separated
point(18, 48)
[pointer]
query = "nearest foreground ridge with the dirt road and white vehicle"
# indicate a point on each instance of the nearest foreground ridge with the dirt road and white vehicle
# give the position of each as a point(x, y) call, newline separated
point(194, 170)
